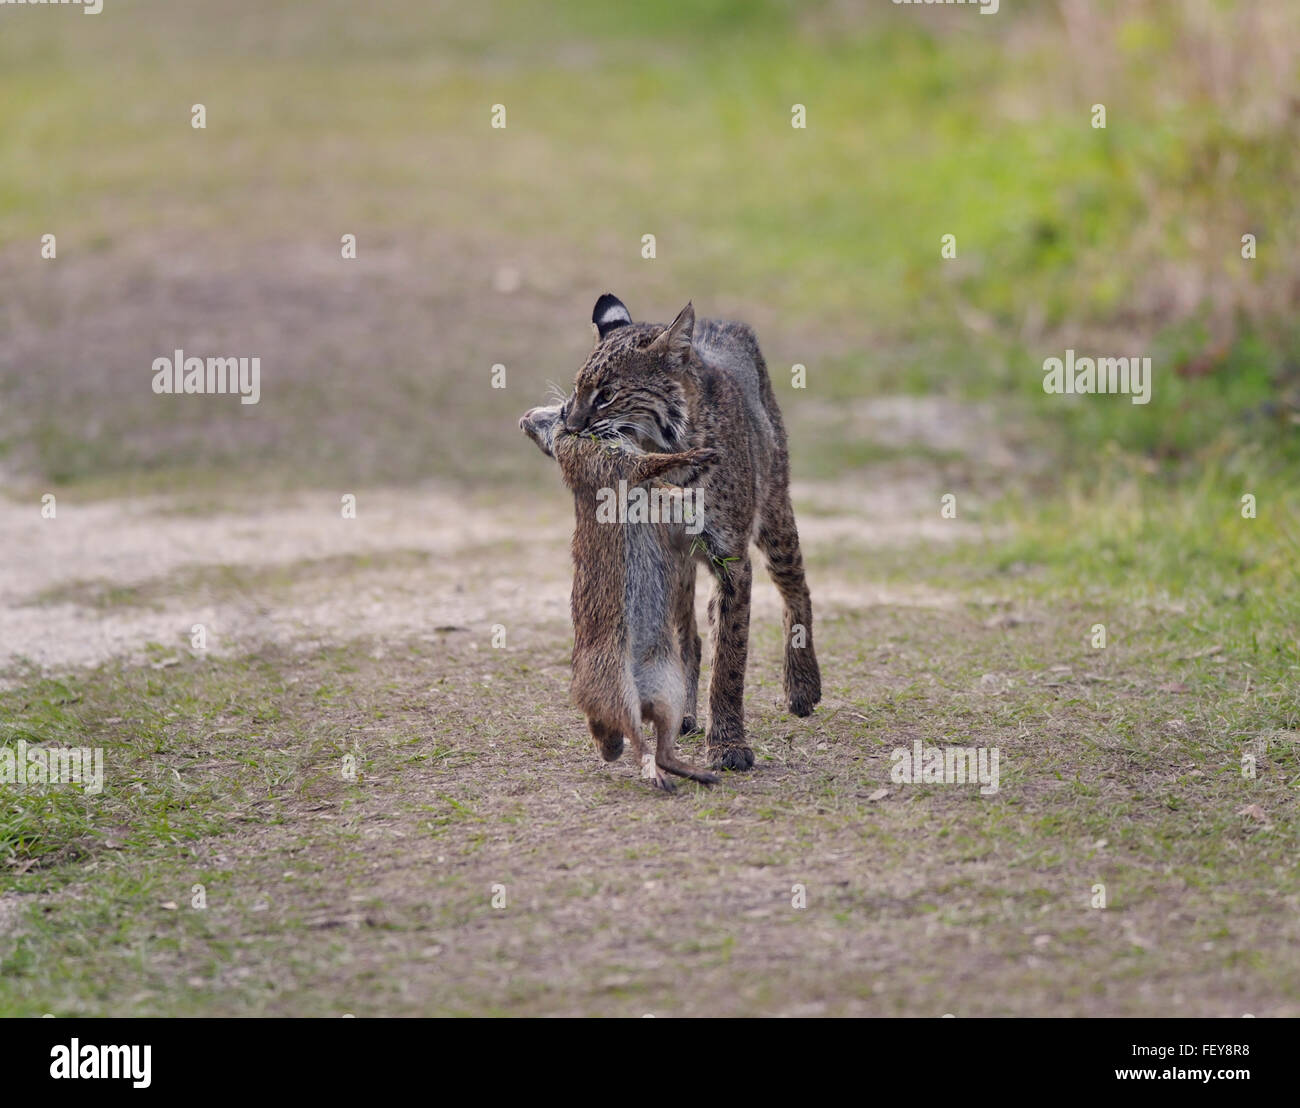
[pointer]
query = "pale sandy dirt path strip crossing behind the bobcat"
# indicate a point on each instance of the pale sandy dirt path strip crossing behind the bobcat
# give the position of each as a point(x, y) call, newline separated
point(103, 579)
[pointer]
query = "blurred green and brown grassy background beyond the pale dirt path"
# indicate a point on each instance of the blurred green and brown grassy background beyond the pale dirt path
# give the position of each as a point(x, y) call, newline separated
point(480, 246)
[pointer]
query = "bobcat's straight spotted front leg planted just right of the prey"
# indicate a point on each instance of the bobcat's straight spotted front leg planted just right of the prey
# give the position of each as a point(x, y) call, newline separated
point(729, 626)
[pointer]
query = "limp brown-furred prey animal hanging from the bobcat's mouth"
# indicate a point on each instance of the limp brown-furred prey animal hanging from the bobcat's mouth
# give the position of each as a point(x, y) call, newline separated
point(627, 655)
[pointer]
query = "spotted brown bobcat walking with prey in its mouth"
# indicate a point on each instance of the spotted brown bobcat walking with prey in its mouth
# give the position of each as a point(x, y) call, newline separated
point(679, 387)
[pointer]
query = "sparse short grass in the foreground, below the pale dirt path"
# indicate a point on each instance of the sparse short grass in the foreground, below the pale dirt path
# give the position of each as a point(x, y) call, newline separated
point(1120, 767)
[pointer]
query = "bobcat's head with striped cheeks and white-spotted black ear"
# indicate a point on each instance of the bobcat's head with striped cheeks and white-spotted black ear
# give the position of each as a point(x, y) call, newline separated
point(632, 382)
